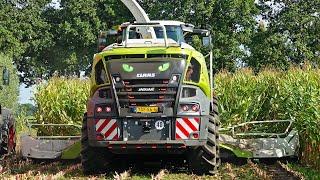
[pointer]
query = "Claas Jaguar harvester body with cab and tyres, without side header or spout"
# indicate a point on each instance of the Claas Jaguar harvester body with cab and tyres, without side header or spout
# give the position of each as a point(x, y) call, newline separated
point(150, 94)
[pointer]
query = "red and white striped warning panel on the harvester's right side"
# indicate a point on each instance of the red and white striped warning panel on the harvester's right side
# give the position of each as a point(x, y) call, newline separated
point(186, 126)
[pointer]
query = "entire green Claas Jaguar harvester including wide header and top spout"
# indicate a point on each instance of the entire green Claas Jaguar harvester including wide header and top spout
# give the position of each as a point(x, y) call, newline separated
point(152, 94)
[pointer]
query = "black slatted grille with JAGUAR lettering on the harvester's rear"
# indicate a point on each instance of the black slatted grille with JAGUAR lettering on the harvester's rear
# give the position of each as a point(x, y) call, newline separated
point(146, 92)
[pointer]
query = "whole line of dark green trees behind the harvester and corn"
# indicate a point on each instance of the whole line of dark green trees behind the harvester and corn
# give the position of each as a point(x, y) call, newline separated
point(43, 38)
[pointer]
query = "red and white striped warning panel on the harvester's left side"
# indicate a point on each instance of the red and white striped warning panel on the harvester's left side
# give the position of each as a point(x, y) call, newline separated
point(108, 128)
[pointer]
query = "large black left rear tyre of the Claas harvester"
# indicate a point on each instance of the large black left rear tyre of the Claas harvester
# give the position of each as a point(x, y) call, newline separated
point(93, 159)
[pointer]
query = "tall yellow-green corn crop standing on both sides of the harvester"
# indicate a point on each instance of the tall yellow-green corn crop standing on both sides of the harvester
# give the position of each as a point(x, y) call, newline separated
point(243, 97)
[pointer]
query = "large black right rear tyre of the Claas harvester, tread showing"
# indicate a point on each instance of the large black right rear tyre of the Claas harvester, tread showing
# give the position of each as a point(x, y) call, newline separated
point(205, 159)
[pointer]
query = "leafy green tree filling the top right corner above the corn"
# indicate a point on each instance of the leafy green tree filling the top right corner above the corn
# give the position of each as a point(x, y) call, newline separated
point(300, 22)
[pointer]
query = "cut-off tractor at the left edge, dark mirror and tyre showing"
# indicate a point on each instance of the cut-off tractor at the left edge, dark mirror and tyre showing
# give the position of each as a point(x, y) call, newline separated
point(7, 122)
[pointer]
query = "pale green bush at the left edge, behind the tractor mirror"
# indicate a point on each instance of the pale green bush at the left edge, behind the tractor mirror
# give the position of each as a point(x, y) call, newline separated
point(9, 94)
